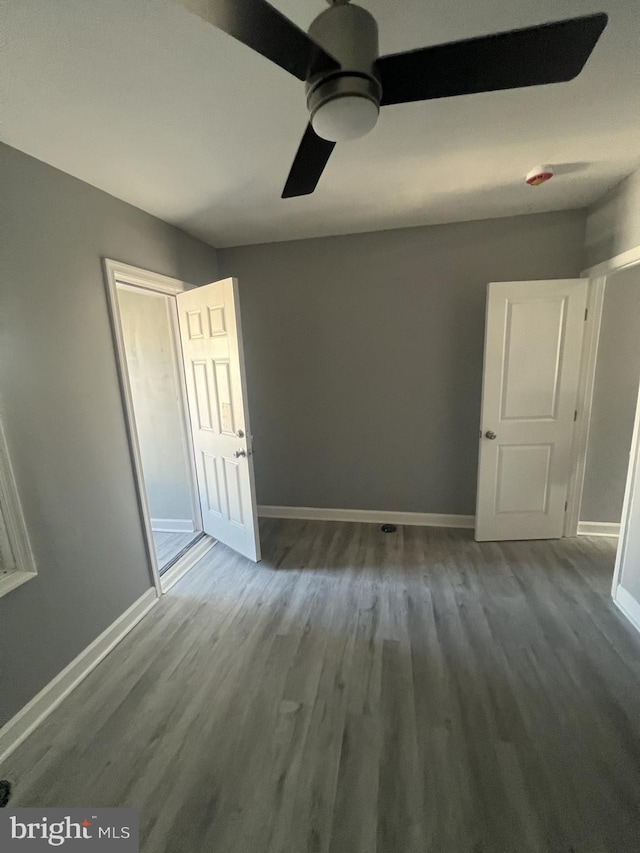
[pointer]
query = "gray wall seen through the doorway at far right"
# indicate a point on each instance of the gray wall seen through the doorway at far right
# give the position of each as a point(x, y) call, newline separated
point(614, 399)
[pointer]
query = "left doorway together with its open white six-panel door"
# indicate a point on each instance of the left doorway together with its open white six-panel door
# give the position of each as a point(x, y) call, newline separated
point(181, 366)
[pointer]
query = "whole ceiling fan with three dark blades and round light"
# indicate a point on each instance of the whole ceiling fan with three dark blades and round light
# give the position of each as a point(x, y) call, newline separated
point(347, 82)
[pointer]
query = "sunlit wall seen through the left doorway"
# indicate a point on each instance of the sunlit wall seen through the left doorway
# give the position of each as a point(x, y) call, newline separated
point(155, 391)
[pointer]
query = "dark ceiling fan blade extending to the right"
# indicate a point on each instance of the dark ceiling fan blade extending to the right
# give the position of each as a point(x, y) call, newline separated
point(549, 53)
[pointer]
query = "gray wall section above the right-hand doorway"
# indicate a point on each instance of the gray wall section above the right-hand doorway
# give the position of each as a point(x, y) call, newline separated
point(613, 223)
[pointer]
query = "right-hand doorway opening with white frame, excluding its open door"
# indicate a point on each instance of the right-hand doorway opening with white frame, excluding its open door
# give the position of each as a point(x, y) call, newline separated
point(606, 491)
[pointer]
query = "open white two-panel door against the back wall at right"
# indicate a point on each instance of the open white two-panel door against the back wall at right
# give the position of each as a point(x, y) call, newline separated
point(533, 345)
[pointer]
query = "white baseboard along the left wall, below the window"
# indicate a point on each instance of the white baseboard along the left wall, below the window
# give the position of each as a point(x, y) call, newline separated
point(19, 727)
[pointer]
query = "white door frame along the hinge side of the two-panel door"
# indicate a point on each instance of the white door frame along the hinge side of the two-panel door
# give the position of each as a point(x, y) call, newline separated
point(597, 276)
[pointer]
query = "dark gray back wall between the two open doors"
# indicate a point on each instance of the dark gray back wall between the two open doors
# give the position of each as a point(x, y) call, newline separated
point(364, 356)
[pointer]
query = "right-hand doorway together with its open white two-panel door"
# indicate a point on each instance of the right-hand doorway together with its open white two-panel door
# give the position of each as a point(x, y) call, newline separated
point(560, 430)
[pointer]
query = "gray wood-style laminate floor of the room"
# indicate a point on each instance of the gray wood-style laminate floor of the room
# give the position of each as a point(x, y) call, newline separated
point(358, 692)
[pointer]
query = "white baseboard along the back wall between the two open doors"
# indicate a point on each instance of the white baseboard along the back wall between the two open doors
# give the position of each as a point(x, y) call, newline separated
point(422, 519)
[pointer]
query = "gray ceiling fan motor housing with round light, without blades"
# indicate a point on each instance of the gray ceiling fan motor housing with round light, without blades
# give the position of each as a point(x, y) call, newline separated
point(350, 34)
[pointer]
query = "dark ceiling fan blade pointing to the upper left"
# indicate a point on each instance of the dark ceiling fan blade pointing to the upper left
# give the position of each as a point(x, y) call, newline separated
point(258, 25)
